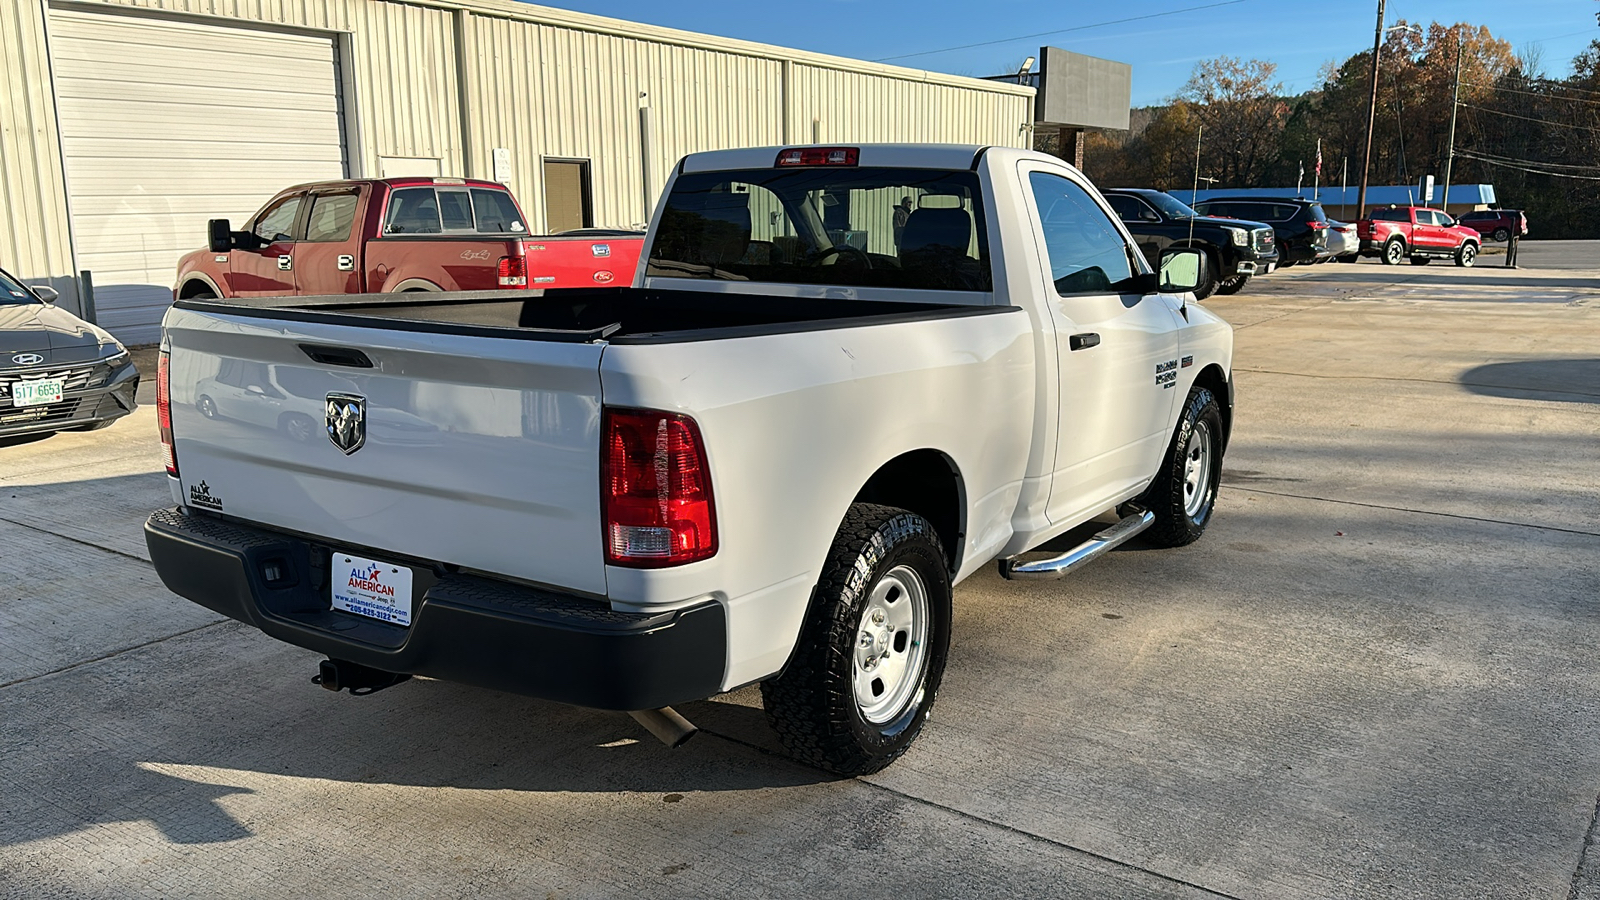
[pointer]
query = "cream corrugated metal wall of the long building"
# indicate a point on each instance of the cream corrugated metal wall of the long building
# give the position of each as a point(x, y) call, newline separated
point(535, 81)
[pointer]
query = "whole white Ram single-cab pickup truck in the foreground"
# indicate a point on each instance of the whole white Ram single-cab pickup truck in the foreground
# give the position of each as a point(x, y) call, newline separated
point(842, 382)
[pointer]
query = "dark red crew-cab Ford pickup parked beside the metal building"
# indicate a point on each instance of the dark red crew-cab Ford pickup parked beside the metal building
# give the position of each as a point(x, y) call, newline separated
point(398, 235)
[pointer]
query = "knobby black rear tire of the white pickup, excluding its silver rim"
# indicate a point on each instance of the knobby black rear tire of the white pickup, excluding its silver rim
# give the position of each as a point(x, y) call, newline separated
point(812, 704)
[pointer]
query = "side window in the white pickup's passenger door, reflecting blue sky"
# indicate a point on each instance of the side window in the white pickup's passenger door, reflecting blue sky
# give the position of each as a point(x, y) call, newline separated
point(1087, 252)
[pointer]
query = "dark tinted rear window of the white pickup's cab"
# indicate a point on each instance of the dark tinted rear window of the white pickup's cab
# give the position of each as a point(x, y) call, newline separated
point(889, 228)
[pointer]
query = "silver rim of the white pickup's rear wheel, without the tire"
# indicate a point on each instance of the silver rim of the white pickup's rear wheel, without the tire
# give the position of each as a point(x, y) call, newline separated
point(892, 646)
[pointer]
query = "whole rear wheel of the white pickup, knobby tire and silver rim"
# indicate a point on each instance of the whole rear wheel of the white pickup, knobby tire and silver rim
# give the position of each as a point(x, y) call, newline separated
point(871, 654)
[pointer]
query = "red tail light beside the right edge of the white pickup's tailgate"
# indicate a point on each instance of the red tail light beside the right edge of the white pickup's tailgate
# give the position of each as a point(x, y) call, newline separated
point(655, 491)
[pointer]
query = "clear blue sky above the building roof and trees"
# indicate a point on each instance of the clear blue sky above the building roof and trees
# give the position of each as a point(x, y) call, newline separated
point(1298, 36)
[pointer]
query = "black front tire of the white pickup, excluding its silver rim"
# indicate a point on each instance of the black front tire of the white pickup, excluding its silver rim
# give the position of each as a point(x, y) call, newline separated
point(1178, 523)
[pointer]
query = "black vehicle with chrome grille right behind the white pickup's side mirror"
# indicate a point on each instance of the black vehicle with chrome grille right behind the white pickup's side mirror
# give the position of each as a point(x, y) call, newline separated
point(1159, 222)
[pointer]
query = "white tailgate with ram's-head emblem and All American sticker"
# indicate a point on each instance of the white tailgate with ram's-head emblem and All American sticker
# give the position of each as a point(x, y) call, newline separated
point(481, 452)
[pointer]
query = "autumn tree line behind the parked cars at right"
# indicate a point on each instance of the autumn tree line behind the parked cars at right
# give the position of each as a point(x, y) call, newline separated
point(1537, 140)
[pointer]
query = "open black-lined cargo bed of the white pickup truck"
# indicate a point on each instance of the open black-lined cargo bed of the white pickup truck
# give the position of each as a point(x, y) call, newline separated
point(628, 316)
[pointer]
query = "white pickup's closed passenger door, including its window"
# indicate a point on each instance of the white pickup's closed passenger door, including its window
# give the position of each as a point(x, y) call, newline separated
point(1114, 350)
